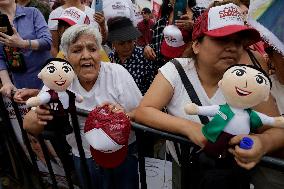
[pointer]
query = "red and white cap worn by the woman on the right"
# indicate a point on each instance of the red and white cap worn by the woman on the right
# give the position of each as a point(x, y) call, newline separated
point(221, 21)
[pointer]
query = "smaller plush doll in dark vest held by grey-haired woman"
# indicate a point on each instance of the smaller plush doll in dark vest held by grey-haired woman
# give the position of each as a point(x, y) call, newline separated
point(57, 75)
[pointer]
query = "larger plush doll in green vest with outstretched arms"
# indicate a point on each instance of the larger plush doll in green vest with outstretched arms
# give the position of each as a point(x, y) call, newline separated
point(243, 87)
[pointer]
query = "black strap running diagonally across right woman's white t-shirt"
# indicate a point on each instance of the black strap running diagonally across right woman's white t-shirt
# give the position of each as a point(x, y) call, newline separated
point(189, 88)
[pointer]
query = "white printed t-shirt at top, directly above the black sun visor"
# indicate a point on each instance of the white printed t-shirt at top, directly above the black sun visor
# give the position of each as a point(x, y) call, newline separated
point(113, 8)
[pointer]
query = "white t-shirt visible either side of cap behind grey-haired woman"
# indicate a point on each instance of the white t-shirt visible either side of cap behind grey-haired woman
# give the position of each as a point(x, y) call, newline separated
point(52, 24)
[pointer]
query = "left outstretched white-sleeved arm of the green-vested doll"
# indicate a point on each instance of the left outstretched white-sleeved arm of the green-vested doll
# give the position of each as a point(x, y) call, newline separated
point(193, 109)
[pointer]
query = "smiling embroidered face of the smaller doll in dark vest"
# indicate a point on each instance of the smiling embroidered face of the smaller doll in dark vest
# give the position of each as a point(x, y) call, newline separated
point(57, 75)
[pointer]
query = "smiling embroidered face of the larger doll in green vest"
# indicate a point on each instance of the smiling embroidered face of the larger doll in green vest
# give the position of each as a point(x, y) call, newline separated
point(244, 87)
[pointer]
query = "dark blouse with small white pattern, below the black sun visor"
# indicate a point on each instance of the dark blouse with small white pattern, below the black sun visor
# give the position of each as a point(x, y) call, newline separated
point(141, 69)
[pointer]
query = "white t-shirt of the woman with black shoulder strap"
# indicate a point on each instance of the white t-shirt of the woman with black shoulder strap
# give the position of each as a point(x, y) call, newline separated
point(180, 96)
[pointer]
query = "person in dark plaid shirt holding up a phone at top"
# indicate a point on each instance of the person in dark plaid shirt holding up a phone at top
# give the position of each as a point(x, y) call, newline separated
point(153, 50)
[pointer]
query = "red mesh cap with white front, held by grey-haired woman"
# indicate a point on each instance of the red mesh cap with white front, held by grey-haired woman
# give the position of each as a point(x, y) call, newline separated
point(107, 133)
